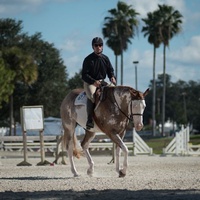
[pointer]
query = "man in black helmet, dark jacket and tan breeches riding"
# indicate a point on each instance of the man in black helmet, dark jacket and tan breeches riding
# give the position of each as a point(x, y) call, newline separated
point(95, 68)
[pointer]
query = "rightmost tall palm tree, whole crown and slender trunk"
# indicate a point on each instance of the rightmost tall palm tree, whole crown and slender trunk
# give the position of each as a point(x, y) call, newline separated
point(169, 25)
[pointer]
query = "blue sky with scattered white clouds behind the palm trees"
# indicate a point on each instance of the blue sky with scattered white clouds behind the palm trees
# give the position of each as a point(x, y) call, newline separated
point(72, 24)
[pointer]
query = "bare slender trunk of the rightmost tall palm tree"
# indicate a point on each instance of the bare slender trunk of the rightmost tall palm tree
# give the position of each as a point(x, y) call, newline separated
point(164, 89)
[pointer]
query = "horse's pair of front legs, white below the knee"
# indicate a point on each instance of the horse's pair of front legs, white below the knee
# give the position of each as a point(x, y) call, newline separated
point(120, 144)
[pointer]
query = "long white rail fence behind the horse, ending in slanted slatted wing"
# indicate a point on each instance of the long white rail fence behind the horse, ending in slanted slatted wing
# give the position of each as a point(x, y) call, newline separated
point(53, 144)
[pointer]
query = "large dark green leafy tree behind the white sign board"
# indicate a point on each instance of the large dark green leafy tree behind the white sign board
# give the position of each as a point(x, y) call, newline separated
point(51, 85)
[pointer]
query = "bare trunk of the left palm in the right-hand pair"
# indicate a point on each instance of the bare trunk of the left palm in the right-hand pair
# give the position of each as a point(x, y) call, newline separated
point(154, 94)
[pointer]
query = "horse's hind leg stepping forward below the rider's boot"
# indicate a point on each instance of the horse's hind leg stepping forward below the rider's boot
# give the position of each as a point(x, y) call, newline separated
point(89, 136)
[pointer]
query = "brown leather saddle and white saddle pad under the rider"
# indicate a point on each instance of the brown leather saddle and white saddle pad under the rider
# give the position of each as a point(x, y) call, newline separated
point(100, 95)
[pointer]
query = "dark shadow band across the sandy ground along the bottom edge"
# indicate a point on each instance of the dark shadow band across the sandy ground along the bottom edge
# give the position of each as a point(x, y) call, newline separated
point(104, 195)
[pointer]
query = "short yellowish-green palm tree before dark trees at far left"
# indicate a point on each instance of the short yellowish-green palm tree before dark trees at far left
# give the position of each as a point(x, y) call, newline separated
point(24, 69)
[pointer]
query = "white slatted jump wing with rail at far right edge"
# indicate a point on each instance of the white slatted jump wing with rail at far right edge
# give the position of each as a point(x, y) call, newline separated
point(180, 144)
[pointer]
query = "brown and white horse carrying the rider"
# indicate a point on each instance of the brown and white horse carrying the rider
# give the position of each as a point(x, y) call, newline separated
point(114, 108)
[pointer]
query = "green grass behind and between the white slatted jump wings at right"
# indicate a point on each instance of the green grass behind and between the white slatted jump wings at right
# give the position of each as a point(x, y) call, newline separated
point(158, 143)
